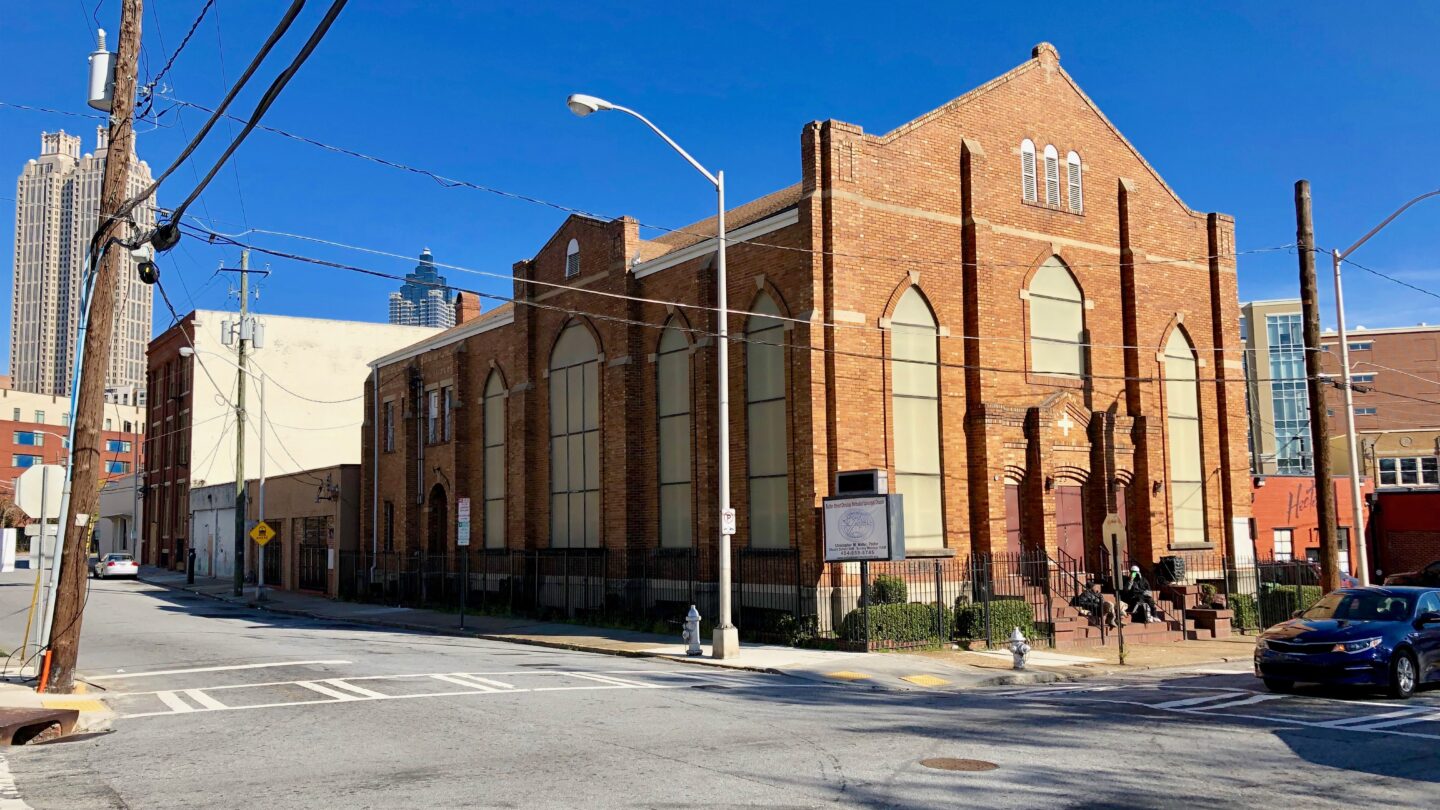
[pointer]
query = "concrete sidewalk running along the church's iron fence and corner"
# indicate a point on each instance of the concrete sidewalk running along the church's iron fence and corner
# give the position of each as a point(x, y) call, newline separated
point(885, 671)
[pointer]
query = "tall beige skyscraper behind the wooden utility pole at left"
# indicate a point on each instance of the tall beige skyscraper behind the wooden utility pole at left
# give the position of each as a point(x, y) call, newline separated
point(55, 214)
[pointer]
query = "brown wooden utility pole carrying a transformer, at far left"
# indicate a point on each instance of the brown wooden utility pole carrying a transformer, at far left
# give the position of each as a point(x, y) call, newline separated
point(90, 413)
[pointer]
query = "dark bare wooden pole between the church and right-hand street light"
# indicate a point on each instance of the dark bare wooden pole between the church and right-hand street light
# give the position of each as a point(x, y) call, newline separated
point(1315, 384)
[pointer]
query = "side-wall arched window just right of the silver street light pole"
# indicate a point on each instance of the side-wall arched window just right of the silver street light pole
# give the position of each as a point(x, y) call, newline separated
point(767, 422)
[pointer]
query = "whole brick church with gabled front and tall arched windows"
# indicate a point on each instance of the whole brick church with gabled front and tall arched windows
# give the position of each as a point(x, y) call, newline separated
point(990, 303)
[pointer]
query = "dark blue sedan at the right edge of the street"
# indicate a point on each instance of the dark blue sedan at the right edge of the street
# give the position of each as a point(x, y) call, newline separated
point(1382, 636)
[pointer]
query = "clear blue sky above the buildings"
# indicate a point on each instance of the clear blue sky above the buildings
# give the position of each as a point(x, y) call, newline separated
point(1232, 106)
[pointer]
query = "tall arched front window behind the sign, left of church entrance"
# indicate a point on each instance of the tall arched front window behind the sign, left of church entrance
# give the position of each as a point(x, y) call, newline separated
point(917, 401)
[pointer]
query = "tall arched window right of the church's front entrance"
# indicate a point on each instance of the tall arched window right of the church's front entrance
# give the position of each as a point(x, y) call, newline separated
point(1183, 436)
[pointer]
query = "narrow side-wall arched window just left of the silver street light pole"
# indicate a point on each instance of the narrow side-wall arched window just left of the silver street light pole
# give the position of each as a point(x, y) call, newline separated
point(673, 409)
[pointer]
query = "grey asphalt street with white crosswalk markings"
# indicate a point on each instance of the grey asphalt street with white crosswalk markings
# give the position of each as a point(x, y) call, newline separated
point(228, 707)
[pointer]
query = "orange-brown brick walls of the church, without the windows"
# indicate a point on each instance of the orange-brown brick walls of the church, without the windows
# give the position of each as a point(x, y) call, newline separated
point(937, 205)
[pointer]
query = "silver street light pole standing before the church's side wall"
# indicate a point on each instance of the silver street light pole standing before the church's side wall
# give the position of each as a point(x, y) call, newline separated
point(726, 639)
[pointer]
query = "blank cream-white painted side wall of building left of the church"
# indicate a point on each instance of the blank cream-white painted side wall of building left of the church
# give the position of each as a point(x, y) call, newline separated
point(315, 397)
